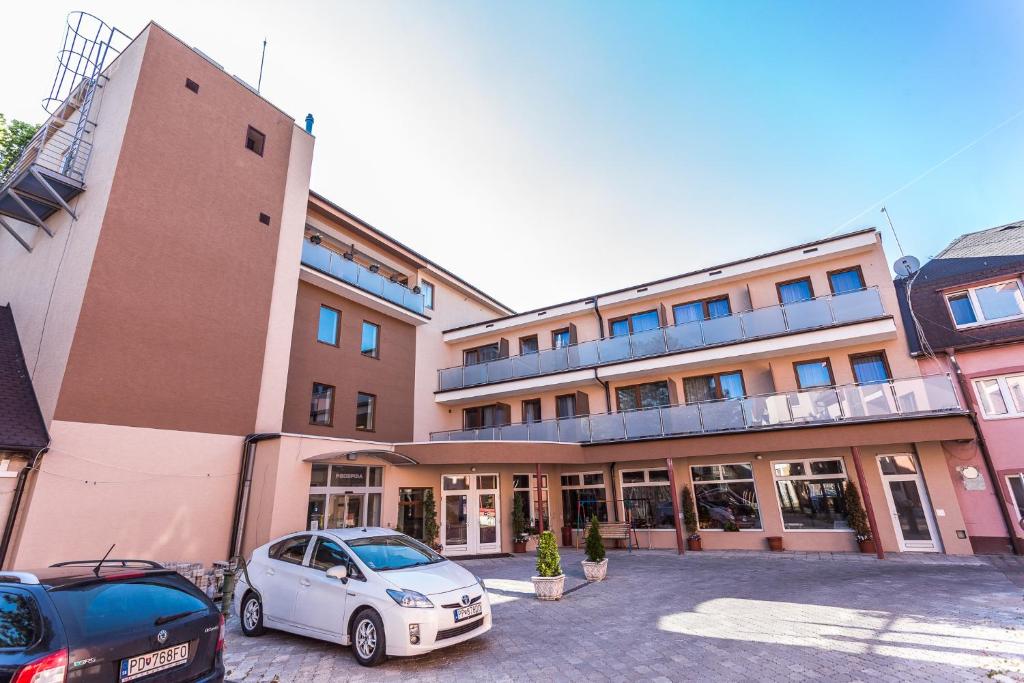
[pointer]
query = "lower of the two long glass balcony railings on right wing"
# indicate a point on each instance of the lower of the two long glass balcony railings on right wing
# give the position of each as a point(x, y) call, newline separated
point(845, 404)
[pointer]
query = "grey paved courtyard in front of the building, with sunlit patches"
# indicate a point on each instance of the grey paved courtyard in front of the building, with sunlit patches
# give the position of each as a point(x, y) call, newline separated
point(711, 616)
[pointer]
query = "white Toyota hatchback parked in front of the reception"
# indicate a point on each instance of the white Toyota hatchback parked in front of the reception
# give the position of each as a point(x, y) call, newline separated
point(375, 589)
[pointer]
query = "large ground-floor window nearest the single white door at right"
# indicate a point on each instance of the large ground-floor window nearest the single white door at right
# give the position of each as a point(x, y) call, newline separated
point(810, 495)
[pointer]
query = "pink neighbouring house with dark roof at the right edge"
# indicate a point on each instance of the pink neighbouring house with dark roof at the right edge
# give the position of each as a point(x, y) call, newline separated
point(965, 315)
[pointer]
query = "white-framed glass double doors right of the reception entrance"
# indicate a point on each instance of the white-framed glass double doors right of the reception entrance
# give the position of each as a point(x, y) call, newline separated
point(471, 515)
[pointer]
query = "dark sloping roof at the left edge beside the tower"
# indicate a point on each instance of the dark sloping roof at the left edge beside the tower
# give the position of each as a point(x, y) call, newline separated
point(22, 425)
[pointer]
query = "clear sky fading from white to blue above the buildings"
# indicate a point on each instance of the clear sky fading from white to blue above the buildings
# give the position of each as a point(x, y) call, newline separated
point(547, 151)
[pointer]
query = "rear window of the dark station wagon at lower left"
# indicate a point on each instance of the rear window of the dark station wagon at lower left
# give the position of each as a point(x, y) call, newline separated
point(108, 608)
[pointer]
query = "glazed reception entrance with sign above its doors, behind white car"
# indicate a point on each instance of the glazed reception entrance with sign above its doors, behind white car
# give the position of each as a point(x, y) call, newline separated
point(343, 496)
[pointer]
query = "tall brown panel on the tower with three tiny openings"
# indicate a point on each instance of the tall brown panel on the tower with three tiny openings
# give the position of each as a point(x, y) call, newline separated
point(175, 319)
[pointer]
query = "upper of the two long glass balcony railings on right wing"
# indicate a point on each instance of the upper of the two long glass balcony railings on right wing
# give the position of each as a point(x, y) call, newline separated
point(824, 312)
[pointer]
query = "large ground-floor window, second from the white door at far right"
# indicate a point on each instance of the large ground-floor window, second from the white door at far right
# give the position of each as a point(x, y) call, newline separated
point(726, 497)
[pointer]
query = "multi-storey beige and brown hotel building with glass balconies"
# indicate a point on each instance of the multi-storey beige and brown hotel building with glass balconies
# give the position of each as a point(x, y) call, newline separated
point(222, 356)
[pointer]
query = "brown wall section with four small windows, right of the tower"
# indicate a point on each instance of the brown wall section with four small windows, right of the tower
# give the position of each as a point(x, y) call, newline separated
point(390, 377)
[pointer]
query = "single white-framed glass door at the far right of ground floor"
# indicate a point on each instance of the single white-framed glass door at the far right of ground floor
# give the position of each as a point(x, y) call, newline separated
point(909, 504)
